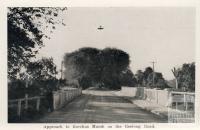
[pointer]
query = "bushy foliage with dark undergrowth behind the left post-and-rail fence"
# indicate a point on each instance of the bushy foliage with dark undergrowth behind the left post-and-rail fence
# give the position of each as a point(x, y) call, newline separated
point(39, 78)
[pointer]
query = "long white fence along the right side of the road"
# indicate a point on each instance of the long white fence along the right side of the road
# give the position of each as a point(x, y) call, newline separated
point(162, 97)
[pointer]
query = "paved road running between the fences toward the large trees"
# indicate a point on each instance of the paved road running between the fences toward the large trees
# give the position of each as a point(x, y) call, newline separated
point(100, 106)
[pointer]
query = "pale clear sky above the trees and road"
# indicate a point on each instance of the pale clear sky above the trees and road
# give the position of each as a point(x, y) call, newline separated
point(165, 35)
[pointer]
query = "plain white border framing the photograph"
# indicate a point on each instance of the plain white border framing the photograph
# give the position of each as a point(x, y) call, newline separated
point(89, 3)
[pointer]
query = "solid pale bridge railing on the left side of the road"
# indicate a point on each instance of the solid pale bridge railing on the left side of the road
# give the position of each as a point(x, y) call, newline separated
point(62, 97)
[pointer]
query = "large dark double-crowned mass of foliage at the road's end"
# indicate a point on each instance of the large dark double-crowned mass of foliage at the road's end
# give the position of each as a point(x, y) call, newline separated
point(90, 66)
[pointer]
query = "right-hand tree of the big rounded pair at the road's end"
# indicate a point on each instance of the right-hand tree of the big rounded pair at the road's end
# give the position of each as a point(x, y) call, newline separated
point(112, 63)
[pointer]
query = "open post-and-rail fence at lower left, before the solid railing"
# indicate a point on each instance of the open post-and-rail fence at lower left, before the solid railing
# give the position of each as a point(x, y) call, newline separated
point(23, 104)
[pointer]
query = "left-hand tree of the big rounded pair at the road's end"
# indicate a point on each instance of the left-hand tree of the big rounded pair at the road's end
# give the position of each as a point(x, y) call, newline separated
point(82, 65)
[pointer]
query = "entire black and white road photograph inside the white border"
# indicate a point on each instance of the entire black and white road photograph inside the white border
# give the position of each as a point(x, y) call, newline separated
point(101, 64)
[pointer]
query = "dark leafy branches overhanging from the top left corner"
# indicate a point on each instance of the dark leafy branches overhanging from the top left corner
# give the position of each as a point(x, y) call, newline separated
point(26, 33)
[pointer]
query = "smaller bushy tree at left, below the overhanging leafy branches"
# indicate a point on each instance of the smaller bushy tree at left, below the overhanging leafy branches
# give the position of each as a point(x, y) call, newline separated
point(41, 77)
